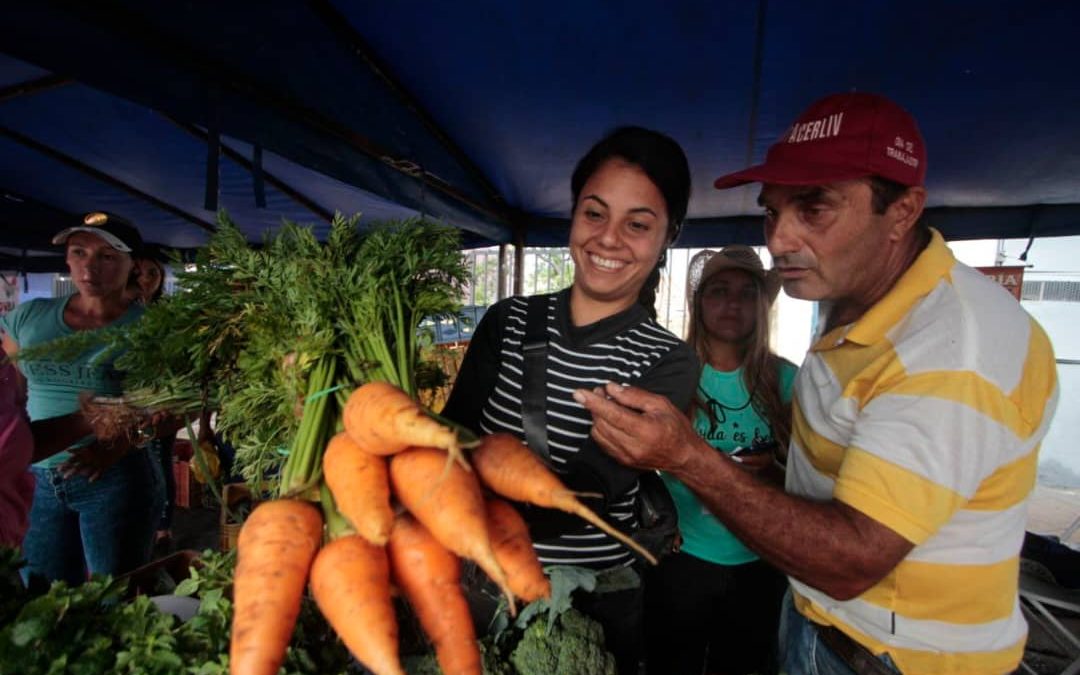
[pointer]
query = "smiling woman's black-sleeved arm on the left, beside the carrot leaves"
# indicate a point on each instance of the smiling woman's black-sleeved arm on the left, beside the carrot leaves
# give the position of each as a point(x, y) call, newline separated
point(477, 377)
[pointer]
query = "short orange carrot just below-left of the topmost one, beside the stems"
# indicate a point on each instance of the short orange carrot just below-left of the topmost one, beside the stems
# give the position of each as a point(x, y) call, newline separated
point(361, 487)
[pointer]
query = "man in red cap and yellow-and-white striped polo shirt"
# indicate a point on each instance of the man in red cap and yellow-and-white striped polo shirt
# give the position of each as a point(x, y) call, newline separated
point(917, 416)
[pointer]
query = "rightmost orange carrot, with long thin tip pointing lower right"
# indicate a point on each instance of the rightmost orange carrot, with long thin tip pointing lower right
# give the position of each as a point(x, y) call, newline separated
point(509, 467)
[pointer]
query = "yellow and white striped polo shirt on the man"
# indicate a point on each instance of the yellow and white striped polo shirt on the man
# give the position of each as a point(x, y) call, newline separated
point(927, 415)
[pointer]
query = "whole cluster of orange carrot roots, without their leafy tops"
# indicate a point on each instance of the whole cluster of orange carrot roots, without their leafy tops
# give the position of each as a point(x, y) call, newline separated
point(403, 501)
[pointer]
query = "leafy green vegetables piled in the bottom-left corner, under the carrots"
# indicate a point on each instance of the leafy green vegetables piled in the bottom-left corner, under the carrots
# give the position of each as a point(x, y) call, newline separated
point(94, 629)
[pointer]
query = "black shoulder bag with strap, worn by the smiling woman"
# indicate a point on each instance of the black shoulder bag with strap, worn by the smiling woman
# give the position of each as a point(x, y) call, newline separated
point(658, 520)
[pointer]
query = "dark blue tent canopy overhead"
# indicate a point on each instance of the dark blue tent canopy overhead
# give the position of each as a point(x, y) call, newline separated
point(476, 113)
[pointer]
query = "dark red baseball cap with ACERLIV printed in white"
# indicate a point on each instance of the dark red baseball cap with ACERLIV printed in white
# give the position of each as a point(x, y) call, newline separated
point(843, 138)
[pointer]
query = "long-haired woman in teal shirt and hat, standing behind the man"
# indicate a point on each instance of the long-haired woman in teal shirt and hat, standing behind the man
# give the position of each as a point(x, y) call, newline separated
point(714, 603)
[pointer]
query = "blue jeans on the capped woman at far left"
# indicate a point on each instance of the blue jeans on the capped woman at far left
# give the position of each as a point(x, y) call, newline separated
point(104, 528)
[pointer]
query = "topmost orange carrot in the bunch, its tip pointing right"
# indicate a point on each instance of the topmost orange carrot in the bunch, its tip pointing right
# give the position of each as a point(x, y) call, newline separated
point(384, 421)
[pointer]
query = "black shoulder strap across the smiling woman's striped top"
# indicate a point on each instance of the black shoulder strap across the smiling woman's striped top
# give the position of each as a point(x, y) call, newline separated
point(535, 382)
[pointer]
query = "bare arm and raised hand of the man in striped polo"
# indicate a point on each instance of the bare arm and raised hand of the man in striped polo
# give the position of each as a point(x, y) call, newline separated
point(828, 546)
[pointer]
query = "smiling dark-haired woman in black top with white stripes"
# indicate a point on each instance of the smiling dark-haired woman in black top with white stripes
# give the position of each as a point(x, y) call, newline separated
point(630, 197)
